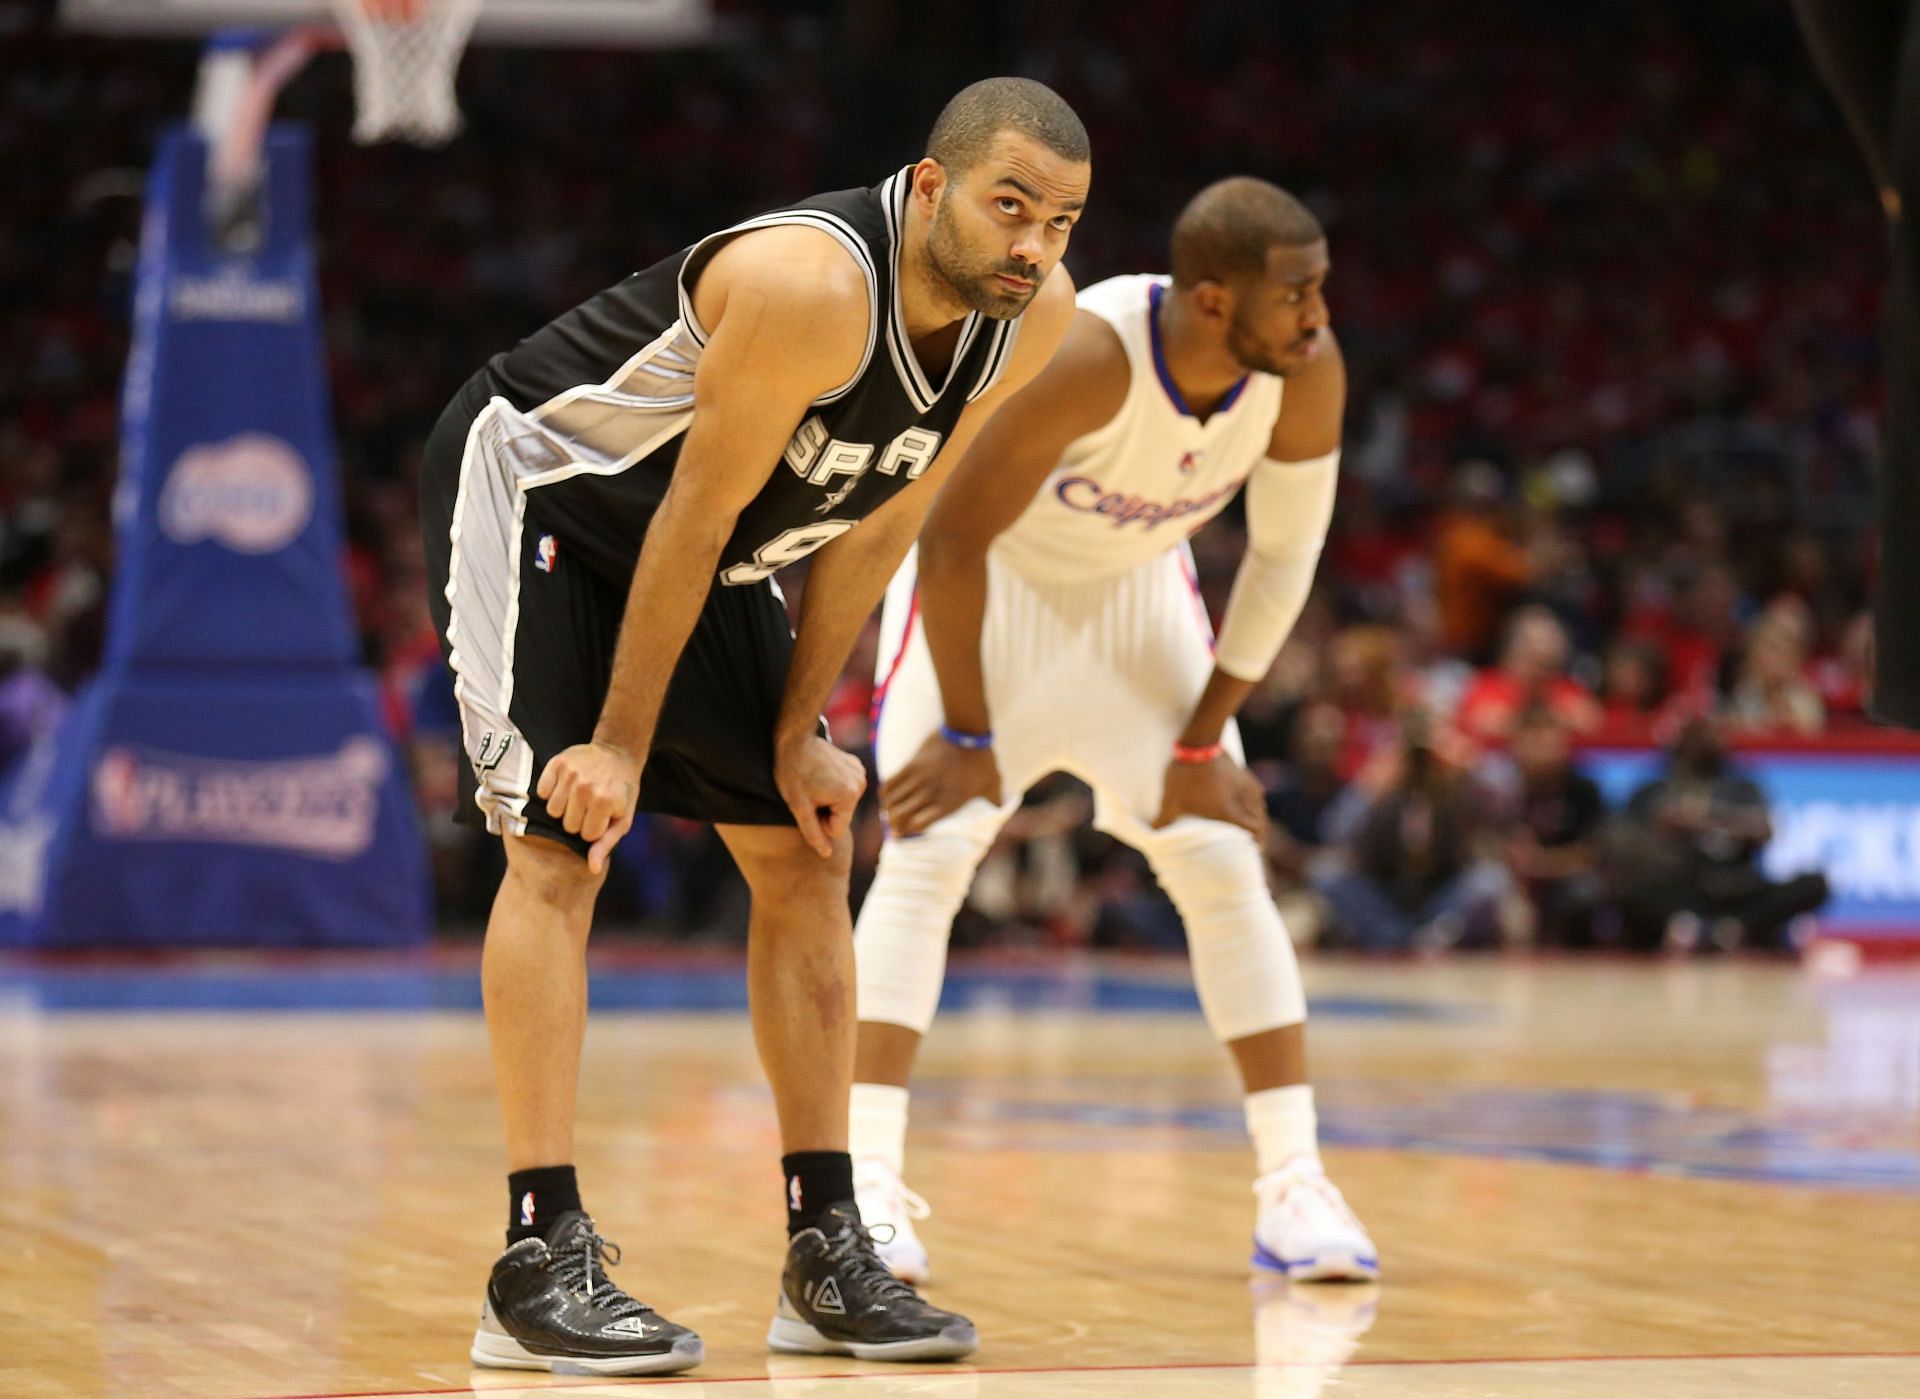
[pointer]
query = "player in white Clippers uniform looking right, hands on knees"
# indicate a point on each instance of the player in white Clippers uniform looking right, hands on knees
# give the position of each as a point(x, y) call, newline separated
point(1055, 625)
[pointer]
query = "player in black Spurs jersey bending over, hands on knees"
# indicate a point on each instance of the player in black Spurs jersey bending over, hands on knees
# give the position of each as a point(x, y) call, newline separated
point(604, 510)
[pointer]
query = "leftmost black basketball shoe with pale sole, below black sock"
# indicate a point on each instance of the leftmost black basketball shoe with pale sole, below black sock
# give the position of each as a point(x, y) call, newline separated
point(552, 1308)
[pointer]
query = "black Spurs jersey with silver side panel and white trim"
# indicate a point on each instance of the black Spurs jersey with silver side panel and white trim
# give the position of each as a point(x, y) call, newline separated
point(588, 415)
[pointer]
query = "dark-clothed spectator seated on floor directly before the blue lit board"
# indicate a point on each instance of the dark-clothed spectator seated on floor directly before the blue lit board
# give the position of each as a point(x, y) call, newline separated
point(1691, 857)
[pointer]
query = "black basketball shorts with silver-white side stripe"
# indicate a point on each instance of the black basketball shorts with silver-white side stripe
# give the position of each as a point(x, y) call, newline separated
point(531, 632)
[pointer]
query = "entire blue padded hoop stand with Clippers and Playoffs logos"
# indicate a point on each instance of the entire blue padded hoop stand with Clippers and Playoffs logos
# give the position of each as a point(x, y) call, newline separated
point(226, 780)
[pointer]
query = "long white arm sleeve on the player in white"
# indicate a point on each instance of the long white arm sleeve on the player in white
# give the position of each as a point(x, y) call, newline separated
point(1289, 506)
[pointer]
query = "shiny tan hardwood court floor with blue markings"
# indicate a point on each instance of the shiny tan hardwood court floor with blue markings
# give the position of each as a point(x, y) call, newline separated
point(1587, 1179)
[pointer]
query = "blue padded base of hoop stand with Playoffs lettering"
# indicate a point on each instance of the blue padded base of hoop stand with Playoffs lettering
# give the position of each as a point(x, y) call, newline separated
point(212, 813)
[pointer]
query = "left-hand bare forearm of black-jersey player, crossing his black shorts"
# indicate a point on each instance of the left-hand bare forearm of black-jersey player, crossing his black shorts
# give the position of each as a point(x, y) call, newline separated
point(671, 584)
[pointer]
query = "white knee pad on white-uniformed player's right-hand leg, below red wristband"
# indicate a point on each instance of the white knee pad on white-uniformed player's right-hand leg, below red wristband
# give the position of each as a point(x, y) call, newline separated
point(1245, 966)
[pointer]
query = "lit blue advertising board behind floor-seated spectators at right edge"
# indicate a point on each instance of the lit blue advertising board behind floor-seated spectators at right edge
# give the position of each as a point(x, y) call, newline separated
point(1848, 811)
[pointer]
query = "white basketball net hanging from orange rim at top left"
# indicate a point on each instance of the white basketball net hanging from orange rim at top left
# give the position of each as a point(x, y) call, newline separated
point(406, 55)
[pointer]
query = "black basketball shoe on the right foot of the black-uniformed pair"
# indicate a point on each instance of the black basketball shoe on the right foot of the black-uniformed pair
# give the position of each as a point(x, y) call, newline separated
point(838, 1298)
